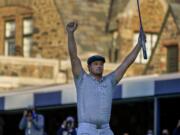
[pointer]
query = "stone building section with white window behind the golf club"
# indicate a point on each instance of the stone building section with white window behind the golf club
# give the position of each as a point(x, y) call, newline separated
point(124, 25)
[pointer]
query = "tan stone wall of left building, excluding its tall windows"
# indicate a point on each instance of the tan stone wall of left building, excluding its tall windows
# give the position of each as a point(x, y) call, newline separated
point(49, 37)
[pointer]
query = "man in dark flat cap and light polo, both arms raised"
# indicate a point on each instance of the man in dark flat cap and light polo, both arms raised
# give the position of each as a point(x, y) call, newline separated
point(94, 92)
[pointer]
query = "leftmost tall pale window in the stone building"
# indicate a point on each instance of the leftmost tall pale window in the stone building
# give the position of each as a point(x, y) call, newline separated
point(10, 42)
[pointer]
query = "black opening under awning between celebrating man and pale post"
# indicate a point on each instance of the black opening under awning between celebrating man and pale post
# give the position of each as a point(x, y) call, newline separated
point(134, 117)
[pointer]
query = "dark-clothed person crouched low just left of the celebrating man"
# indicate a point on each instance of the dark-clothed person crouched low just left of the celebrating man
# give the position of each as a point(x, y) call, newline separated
point(67, 128)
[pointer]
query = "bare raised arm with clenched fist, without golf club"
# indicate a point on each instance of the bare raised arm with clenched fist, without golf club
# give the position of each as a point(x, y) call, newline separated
point(75, 61)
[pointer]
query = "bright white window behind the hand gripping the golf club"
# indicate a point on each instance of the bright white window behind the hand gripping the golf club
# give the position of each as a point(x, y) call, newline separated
point(150, 43)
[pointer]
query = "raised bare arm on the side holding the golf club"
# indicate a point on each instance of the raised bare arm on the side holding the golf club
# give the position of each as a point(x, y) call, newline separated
point(120, 71)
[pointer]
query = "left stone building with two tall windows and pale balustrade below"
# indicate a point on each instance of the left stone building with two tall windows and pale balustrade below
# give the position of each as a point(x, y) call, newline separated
point(33, 44)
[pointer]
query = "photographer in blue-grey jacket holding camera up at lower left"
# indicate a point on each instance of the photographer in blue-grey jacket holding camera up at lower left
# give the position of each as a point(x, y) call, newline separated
point(32, 123)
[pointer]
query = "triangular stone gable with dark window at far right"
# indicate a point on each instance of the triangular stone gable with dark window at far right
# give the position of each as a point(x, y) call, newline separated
point(166, 57)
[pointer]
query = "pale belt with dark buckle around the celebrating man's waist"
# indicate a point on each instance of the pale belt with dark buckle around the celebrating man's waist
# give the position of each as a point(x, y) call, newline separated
point(97, 126)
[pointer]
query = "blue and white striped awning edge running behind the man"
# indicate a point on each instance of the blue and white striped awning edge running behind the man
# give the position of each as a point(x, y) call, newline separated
point(61, 95)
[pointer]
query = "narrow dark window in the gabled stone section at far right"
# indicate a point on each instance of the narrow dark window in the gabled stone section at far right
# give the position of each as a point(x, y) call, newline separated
point(172, 58)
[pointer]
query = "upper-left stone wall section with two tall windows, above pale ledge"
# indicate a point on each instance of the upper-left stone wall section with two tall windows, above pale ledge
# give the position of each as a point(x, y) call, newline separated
point(32, 29)
